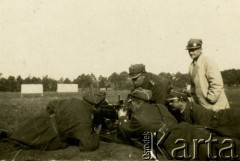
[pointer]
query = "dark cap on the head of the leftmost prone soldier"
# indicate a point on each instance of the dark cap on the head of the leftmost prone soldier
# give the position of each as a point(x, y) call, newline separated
point(94, 97)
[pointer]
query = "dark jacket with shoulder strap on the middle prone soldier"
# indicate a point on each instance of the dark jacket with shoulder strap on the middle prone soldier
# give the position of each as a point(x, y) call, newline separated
point(148, 118)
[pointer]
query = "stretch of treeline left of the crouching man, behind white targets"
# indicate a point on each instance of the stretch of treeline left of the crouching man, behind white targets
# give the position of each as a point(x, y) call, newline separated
point(115, 81)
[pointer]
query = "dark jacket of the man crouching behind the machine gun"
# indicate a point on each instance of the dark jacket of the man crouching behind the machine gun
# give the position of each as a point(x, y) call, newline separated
point(159, 86)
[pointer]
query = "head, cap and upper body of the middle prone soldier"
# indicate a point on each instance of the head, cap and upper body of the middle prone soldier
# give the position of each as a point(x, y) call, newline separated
point(145, 117)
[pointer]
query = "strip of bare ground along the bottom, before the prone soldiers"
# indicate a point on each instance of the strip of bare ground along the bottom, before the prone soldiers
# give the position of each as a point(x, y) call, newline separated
point(106, 151)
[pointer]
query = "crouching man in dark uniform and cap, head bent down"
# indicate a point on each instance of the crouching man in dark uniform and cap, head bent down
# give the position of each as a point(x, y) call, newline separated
point(159, 86)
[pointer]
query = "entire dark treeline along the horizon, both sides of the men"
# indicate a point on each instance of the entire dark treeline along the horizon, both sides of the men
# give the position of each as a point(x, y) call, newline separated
point(116, 81)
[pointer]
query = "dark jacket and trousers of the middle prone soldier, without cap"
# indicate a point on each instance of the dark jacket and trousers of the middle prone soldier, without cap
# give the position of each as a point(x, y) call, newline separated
point(149, 119)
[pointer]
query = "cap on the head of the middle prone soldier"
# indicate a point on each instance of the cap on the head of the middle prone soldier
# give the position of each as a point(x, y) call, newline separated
point(142, 94)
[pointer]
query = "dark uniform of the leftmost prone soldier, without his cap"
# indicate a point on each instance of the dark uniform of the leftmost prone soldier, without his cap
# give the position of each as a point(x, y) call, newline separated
point(74, 123)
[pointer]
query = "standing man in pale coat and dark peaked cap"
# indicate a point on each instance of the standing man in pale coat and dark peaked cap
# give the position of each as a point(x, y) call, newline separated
point(206, 79)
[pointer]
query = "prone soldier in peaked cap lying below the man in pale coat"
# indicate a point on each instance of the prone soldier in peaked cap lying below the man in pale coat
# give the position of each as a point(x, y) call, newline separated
point(224, 122)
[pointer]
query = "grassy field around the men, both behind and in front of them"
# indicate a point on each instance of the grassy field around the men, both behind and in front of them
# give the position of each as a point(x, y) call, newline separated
point(14, 110)
